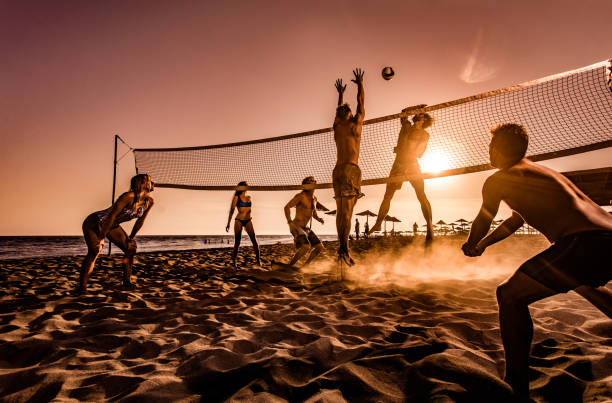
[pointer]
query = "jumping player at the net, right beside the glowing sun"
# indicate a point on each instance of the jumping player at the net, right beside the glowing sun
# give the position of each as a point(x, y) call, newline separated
point(411, 145)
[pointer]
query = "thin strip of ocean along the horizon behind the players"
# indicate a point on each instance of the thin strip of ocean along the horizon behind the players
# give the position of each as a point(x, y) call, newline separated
point(16, 247)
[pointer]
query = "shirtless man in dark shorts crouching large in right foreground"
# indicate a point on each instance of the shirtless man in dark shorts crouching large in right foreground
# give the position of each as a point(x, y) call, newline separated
point(580, 232)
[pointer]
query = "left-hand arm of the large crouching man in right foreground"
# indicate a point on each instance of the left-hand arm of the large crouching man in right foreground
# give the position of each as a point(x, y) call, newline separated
point(482, 222)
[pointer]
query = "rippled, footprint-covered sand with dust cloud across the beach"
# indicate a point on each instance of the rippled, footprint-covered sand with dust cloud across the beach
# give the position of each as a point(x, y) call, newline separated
point(409, 324)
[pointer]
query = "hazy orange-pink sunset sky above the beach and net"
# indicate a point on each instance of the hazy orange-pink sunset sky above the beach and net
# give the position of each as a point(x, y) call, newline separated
point(188, 73)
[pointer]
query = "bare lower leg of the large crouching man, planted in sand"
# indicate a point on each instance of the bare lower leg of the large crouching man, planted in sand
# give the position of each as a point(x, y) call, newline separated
point(514, 296)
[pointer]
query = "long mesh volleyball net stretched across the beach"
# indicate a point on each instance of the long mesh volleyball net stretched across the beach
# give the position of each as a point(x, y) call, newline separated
point(564, 114)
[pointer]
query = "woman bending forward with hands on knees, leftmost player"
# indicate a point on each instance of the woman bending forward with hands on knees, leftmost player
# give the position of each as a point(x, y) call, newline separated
point(136, 203)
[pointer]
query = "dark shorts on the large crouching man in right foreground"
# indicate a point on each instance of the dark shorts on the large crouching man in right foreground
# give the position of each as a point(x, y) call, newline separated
point(584, 258)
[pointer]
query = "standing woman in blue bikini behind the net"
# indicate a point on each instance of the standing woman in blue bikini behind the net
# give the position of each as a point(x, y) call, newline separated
point(243, 220)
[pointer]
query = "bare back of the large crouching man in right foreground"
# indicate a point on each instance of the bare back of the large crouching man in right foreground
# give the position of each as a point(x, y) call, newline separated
point(547, 200)
